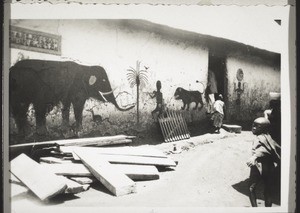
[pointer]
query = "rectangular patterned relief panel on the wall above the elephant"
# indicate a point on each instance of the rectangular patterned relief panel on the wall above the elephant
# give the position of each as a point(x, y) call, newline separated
point(36, 41)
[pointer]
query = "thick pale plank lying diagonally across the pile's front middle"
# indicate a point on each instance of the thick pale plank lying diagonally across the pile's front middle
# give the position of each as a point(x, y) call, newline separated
point(115, 181)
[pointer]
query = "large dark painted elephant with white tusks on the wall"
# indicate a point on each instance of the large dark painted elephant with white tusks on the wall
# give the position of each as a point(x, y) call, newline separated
point(46, 83)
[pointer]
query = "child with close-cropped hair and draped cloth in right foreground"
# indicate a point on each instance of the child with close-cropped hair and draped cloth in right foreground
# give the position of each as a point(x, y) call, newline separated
point(262, 162)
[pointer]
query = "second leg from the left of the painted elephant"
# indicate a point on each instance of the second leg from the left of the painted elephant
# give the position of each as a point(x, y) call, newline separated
point(40, 114)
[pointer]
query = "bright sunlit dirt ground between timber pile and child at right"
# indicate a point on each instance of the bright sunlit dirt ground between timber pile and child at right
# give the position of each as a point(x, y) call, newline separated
point(211, 172)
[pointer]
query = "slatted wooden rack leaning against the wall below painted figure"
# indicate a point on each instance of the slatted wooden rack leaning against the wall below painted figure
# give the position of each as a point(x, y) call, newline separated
point(173, 126)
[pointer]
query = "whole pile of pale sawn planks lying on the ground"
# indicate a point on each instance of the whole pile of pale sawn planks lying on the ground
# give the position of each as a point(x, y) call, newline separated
point(75, 164)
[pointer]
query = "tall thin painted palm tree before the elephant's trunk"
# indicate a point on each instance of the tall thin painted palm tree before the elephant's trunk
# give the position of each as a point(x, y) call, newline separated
point(137, 77)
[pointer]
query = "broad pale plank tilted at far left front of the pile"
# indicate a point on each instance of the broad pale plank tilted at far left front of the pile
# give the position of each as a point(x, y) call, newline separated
point(41, 182)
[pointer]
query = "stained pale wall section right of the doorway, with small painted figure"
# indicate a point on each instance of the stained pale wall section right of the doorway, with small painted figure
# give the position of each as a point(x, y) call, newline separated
point(259, 79)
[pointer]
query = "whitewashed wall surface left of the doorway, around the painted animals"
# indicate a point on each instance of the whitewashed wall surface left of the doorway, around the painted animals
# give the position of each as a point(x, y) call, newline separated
point(95, 42)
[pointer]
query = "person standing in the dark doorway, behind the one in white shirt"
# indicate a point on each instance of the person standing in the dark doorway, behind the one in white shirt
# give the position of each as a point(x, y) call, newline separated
point(211, 90)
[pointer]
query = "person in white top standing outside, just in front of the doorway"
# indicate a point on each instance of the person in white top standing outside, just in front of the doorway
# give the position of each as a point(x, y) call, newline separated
point(218, 113)
